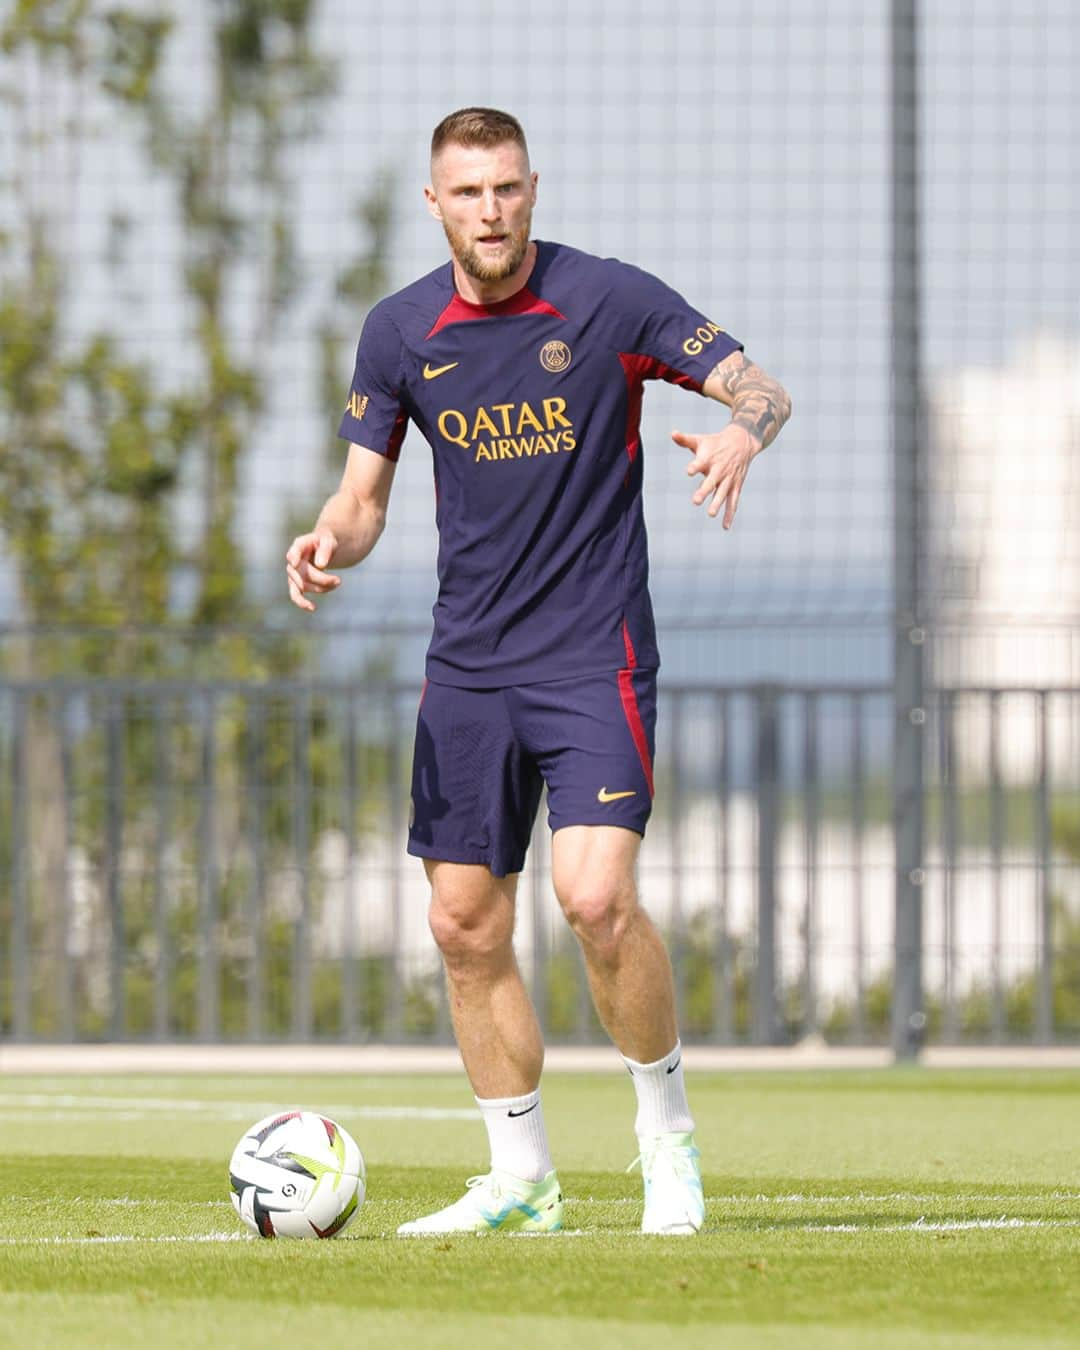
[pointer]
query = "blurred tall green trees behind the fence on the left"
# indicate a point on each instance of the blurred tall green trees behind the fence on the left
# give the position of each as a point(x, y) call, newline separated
point(99, 449)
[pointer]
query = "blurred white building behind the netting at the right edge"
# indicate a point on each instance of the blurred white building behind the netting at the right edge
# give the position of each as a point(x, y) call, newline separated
point(1004, 576)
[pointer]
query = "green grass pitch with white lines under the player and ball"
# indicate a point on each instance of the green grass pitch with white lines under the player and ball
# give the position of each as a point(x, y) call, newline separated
point(846, 1210)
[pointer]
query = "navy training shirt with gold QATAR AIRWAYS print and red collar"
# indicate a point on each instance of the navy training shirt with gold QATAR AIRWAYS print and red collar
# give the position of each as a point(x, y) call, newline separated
point(533, 410)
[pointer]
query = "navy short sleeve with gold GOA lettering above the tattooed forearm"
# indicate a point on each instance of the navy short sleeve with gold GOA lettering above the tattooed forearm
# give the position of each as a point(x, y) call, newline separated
point(659, 327)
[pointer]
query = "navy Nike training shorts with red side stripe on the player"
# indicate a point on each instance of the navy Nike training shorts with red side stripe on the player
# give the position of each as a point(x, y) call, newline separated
point(483, 758)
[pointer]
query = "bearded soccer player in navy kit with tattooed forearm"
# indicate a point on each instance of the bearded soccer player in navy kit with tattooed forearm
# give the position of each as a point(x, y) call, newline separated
point(523, 365)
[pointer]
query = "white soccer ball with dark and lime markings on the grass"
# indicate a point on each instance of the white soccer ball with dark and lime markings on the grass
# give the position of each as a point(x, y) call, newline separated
point(298, 1175)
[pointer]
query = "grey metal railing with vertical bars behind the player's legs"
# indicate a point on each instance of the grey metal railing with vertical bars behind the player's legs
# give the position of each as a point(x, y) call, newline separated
point(223, 862)
